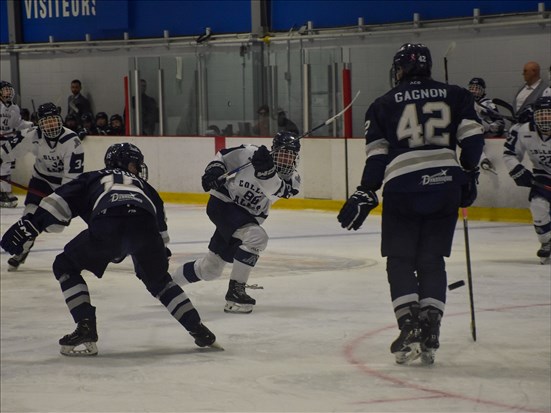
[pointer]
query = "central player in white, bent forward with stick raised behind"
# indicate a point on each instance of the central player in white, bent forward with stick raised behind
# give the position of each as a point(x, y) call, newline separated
point(238, 206)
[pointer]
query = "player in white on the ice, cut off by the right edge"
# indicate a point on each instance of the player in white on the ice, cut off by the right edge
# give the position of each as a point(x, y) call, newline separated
point(534, 139)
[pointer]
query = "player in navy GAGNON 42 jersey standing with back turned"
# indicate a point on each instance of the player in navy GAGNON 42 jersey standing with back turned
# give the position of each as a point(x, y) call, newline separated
point(412, 133)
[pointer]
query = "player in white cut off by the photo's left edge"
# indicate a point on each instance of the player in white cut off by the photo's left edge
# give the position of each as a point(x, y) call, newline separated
point(10, 126)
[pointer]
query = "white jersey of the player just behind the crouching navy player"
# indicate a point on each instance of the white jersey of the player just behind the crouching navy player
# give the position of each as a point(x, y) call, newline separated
point(57, 162)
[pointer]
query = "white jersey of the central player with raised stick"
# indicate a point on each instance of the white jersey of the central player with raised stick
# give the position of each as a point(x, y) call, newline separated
point(246, 190)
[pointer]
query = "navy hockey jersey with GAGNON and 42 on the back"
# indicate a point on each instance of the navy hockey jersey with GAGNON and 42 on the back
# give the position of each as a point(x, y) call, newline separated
point(412, 133)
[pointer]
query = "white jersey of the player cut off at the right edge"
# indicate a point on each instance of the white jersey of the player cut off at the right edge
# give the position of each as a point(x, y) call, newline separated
point(525, 139)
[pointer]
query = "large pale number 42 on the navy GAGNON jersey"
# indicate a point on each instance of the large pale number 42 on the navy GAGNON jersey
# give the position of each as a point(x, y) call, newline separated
point(437, 116)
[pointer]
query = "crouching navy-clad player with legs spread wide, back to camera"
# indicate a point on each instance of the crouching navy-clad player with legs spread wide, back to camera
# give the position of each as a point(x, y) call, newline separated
point(125, 216)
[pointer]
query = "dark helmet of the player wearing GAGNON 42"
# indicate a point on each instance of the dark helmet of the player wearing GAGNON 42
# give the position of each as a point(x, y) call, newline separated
point(411, 60)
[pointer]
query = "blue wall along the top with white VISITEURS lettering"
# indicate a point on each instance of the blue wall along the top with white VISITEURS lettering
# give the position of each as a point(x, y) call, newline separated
point(70, 20)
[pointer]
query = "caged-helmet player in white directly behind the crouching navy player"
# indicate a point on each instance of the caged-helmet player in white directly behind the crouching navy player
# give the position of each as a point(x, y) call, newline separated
point(59, 159)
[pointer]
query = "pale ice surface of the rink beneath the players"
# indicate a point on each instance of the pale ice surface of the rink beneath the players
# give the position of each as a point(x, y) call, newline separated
point(317, 341)
